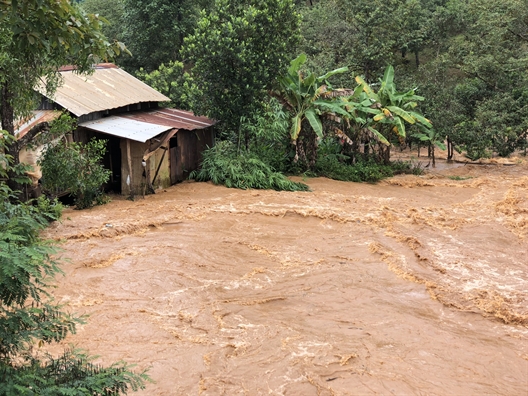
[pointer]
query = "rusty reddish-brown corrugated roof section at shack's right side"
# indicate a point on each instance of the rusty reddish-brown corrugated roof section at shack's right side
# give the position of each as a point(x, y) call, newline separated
point(178, 119)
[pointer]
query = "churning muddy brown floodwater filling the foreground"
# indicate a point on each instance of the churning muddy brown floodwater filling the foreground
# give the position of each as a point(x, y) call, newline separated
point(417, 285)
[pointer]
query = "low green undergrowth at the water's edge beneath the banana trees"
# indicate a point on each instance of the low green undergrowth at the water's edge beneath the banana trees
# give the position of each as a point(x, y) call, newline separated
point(363, 171)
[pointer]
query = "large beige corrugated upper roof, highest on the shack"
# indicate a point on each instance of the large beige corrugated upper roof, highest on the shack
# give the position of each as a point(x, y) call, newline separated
point(107, 88)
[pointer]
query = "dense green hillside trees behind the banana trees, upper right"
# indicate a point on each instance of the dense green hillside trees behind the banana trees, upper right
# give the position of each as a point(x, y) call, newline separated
point(468, 59)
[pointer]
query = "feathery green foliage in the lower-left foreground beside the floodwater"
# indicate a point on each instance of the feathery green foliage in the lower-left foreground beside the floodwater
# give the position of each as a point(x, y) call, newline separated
point(29, 318)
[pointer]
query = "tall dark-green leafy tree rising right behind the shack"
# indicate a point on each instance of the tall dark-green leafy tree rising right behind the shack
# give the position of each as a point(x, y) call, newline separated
point(236, 53)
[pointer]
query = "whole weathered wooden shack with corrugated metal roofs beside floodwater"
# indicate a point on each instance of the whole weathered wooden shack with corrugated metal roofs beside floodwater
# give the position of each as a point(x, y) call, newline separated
point(148, 146)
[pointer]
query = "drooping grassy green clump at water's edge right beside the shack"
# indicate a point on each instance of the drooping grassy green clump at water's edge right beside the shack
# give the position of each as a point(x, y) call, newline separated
point(222, 165)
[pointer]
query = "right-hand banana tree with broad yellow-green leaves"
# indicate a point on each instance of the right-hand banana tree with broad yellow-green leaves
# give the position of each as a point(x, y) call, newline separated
point(392, 110)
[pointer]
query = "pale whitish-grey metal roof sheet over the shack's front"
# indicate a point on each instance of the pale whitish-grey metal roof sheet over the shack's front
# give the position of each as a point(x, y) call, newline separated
point(126, 128)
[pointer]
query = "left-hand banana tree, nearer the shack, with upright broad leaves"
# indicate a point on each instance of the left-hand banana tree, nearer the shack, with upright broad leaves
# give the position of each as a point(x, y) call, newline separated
point(307, 97)
